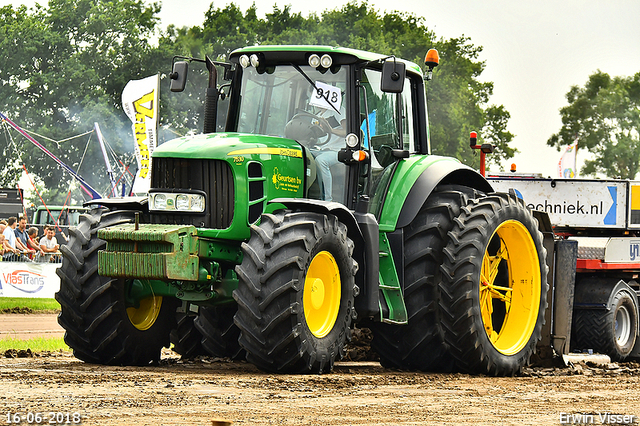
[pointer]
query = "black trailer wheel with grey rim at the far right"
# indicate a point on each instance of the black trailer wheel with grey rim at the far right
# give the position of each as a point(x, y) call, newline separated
point(611, 332)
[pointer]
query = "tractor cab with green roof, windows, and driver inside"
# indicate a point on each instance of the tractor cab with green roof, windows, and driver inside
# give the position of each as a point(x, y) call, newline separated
point(354, 113)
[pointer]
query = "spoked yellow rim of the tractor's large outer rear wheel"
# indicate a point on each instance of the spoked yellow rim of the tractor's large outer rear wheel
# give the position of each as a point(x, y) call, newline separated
point(510, 288)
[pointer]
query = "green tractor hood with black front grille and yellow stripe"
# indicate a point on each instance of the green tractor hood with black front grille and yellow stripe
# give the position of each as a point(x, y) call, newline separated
point(238, 172)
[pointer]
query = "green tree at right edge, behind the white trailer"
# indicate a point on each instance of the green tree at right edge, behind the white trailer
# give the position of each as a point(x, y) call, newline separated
point(604, 117)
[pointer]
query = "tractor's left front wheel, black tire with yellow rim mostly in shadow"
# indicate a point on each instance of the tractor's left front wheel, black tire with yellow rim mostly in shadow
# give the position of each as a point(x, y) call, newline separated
point(99, 326)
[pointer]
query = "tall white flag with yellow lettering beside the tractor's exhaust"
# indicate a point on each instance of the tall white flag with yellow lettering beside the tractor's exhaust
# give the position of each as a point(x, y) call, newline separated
point(140, 103)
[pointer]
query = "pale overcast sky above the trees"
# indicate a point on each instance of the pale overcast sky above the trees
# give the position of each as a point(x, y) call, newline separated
point(534, 51)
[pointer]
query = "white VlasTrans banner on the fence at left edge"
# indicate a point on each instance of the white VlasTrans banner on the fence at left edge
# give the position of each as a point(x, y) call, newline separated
point(28, 279)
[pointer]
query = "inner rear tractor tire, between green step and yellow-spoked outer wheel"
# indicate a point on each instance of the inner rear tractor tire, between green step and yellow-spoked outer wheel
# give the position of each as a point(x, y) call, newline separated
point(419, 345)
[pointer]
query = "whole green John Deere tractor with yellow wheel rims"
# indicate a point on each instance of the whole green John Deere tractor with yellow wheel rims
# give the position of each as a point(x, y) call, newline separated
point(318, 207)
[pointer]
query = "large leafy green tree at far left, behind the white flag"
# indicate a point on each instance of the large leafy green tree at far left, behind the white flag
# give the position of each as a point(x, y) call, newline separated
point(68, 65)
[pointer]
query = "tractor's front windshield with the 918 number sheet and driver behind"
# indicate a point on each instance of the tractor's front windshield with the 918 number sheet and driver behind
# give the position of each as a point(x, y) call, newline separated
point(304, 104)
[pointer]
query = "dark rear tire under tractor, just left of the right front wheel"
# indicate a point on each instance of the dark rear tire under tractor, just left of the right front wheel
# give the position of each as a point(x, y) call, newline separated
point(219, 332)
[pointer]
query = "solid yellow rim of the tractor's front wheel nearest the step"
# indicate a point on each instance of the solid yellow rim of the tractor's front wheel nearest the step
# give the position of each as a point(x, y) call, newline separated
point(321, 294)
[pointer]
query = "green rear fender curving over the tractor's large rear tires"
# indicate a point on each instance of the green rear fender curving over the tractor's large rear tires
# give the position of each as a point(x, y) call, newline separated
point(414, 180)
